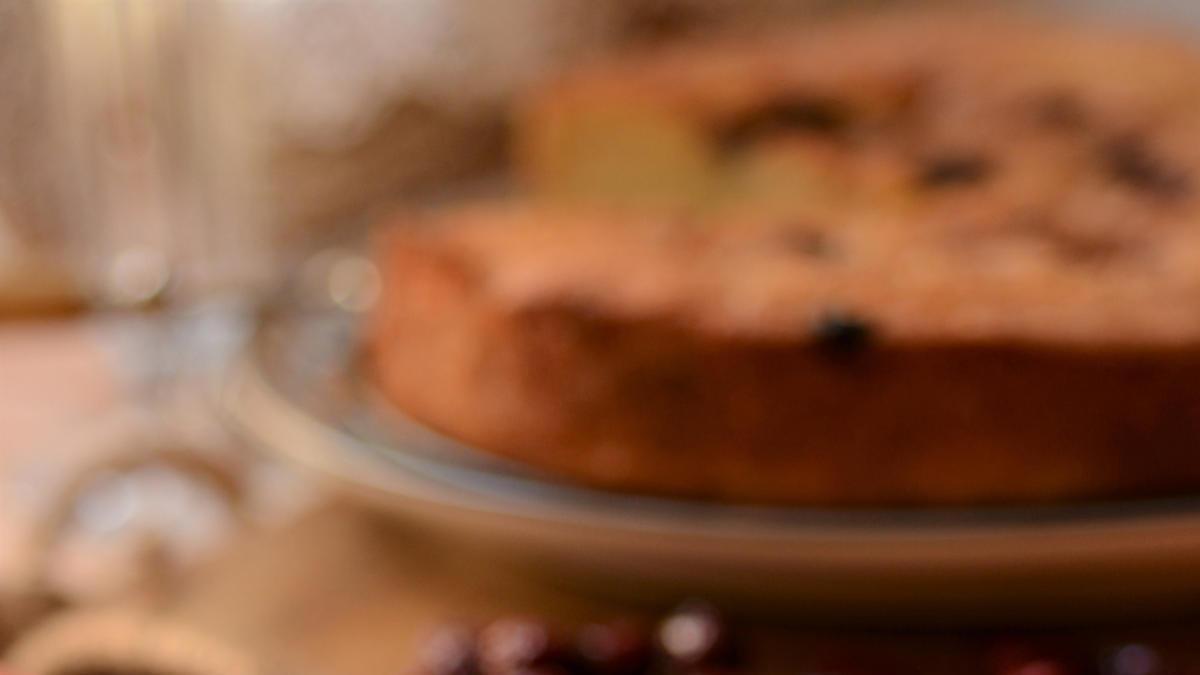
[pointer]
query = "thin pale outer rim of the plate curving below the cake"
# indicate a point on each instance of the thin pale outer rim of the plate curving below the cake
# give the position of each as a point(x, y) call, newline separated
point(248, 398)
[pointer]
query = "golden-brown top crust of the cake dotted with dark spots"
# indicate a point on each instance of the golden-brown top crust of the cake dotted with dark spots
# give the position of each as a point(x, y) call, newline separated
point(980, 180)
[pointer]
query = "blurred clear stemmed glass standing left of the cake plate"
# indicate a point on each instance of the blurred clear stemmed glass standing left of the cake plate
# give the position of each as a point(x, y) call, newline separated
point(149, 116)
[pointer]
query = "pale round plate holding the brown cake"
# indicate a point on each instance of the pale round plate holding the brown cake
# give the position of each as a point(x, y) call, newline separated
point(295, 393)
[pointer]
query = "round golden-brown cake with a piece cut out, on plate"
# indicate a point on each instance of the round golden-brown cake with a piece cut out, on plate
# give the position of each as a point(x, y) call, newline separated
point(965, 271)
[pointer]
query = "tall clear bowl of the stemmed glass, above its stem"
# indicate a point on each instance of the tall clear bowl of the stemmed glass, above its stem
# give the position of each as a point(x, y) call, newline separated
point(146, 98)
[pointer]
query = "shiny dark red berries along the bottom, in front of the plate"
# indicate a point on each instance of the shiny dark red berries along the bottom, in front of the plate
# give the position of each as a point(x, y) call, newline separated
point(697, 640)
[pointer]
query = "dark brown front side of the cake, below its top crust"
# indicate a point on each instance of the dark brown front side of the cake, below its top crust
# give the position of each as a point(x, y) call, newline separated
point(842, 413)
